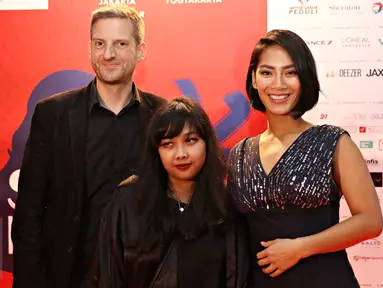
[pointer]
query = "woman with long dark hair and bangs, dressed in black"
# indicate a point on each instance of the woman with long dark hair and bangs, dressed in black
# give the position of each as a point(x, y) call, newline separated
point(170, 227)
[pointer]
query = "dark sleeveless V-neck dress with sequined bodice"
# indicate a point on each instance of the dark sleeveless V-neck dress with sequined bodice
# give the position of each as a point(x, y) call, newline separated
point(297, 198)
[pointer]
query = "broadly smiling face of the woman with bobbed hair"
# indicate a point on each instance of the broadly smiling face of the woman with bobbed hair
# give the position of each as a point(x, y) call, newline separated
point(277, 81)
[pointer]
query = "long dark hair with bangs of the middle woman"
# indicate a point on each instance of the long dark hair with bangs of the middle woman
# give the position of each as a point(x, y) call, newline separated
point(207, 207)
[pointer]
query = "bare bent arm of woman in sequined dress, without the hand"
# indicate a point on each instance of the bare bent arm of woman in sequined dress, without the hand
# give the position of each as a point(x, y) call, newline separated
point(353, 178)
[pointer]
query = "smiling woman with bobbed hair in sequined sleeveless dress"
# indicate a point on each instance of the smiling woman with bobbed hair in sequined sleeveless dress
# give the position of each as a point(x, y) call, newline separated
point(287, 182)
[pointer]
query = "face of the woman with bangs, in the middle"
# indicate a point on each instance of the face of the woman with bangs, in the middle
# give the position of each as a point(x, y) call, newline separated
point(183, 156)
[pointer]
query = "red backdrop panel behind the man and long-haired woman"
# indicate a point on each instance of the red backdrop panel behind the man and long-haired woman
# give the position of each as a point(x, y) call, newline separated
point(200, 49)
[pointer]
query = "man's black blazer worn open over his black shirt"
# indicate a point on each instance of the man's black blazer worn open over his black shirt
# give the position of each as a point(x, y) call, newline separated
point(51, 187)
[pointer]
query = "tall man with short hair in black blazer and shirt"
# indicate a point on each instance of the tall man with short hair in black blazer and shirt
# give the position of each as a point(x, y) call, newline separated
point(81, 145)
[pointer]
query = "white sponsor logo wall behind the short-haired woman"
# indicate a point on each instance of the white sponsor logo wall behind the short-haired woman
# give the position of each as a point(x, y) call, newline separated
point(346, 39)
